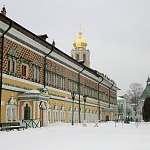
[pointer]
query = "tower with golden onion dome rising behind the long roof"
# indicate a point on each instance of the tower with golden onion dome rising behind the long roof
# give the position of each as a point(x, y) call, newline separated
point(80, 53)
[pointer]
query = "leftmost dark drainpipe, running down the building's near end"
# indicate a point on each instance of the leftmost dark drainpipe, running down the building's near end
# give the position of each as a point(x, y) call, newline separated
point(1, 72)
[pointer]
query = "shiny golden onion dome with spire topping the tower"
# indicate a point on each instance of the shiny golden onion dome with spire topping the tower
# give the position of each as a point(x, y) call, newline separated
point(80, 43)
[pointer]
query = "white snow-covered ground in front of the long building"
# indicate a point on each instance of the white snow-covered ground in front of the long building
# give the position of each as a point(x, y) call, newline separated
point(62, 136)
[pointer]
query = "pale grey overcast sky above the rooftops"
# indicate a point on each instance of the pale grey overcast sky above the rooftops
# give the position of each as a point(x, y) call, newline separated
point(117, 32)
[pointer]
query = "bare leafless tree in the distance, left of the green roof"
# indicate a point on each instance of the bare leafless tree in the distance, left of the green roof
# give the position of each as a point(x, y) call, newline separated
point(134, 93)
